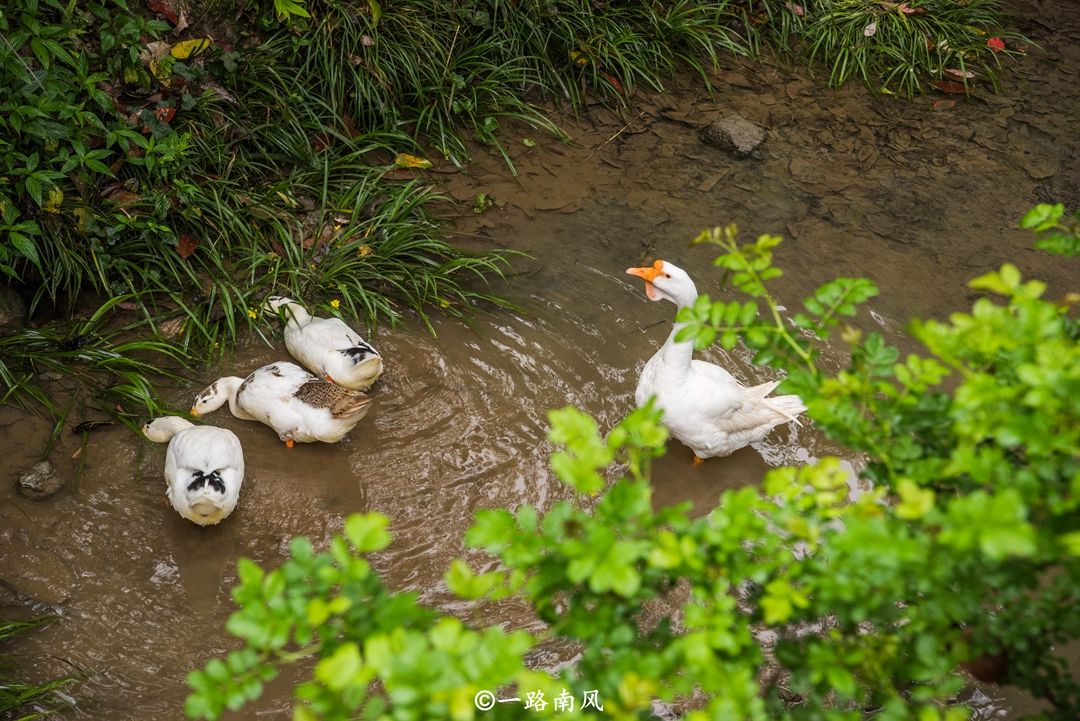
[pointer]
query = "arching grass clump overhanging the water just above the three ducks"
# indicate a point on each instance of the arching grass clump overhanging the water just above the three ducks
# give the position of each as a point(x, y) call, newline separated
point(371, 241)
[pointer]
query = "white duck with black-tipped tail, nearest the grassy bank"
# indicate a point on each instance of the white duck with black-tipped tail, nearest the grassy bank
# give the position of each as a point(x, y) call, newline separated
point(328, 347)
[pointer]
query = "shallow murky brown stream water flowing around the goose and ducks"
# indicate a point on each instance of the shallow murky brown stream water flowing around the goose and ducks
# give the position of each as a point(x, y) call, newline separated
point(917, 199)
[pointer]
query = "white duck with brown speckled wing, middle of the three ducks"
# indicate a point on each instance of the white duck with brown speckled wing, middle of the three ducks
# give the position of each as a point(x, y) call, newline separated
point(301, 407)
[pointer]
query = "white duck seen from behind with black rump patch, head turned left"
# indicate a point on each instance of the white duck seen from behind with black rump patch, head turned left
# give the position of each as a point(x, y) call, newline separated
point(205, 468)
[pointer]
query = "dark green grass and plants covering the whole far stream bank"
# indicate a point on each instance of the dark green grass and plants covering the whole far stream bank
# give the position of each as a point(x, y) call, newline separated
point(196, 178)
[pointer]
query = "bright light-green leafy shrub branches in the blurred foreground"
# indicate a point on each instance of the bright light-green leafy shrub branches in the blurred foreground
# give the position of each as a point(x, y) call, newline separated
point(962, 552)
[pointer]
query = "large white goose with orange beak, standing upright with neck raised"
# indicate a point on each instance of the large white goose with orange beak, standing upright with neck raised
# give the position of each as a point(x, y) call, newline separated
point(704, 405)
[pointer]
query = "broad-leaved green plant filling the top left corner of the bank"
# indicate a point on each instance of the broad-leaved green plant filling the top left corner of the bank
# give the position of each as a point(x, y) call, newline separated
point(58, 127)
